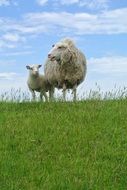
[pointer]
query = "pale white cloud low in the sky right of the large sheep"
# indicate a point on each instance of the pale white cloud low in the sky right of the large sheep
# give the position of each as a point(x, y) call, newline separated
point(108, 72)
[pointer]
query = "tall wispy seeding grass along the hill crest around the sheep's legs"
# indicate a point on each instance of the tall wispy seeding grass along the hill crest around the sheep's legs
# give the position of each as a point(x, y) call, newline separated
point(17, 95)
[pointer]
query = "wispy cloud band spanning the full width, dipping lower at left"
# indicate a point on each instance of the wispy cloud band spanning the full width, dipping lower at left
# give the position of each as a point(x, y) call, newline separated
point(14, 32)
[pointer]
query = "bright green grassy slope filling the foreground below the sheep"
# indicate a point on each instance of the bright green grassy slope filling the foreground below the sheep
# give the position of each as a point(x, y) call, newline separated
point(71, 146)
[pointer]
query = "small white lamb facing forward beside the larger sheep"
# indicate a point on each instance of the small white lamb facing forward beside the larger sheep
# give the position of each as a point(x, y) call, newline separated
point(37, 82)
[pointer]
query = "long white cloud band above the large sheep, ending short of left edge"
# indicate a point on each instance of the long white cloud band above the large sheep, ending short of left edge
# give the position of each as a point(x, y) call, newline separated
point(108, 22)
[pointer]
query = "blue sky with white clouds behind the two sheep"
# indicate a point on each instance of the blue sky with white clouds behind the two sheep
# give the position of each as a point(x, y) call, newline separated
point(28, 28)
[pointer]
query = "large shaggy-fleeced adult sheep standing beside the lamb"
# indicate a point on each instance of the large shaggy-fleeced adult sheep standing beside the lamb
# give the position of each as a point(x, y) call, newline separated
point(65, 67)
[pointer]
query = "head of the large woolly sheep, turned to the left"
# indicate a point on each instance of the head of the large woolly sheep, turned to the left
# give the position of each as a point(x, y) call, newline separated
point(59, 52)
